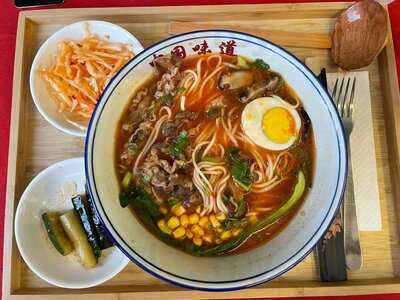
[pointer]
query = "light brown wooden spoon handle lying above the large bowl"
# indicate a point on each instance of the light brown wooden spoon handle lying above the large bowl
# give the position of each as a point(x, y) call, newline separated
point(280, 37)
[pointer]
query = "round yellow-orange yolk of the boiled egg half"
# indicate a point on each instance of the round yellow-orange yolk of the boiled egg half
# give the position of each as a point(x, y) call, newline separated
point(278, 125)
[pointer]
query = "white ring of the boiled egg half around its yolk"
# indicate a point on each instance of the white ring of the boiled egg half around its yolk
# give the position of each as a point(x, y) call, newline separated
point(252, 121)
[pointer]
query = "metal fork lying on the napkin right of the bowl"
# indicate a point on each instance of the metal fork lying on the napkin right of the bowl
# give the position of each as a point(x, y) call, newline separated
point(345, 105)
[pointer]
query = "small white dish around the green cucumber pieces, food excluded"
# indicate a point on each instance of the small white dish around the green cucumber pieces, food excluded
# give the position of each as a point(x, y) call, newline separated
point(42, 194)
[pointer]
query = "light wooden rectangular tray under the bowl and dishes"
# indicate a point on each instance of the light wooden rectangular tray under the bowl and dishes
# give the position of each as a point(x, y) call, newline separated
point(35, 144)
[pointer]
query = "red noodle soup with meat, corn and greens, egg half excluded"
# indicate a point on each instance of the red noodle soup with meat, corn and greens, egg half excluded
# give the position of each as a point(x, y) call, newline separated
point(201, 113)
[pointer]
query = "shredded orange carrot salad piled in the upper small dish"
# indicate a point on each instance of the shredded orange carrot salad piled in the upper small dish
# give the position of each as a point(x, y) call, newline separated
point(80, 73)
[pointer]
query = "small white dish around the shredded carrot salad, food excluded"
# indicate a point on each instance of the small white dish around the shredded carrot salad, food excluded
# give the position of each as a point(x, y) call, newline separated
point(45, 56)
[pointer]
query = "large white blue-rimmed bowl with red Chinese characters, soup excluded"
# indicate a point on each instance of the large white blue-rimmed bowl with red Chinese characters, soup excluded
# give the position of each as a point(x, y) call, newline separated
point(242, 270)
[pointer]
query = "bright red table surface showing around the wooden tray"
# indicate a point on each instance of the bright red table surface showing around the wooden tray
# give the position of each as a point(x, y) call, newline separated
point(8, 28)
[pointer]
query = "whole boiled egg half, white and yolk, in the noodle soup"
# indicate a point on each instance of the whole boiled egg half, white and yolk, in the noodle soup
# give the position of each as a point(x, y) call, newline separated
point(271, 123)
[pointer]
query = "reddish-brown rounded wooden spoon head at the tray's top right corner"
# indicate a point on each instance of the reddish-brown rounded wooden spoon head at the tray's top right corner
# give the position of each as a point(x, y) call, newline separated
point(359, 35)
